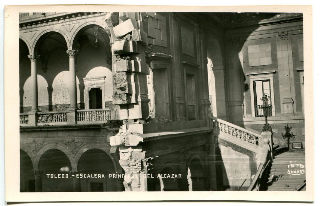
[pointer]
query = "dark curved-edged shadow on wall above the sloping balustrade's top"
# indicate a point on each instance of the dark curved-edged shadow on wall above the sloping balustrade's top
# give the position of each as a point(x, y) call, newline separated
point(237, 82)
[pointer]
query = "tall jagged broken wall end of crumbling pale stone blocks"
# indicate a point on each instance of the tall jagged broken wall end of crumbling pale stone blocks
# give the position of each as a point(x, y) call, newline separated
point(129, 89)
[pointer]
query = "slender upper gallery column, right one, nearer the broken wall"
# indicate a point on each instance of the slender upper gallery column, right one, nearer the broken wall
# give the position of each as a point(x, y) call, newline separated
point(71, 116)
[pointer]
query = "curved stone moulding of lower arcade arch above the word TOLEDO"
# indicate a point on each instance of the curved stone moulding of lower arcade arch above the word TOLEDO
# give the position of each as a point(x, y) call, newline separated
point(56, 146)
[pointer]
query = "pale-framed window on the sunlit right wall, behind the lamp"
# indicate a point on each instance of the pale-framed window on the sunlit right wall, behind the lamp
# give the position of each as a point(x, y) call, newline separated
point(261, 88)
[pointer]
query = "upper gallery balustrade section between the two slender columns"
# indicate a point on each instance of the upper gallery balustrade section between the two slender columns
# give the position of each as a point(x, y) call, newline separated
point(51, 117)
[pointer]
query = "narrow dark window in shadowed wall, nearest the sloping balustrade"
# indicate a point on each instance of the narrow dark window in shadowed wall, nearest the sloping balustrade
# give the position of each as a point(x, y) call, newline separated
point(191, 96)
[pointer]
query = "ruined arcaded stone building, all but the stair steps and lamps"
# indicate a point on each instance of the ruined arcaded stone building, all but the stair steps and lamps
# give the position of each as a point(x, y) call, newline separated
point(155, 95)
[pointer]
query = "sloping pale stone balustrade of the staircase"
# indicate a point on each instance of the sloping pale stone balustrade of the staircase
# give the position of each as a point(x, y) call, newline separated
point(238, 133)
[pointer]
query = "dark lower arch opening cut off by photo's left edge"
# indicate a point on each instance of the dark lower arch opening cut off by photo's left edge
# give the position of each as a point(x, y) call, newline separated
point(27, 178)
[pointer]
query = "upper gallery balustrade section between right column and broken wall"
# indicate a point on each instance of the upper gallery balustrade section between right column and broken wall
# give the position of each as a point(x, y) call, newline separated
point(93, 115)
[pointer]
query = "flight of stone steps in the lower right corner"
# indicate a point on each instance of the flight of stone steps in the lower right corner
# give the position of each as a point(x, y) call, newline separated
point(287, 172)
